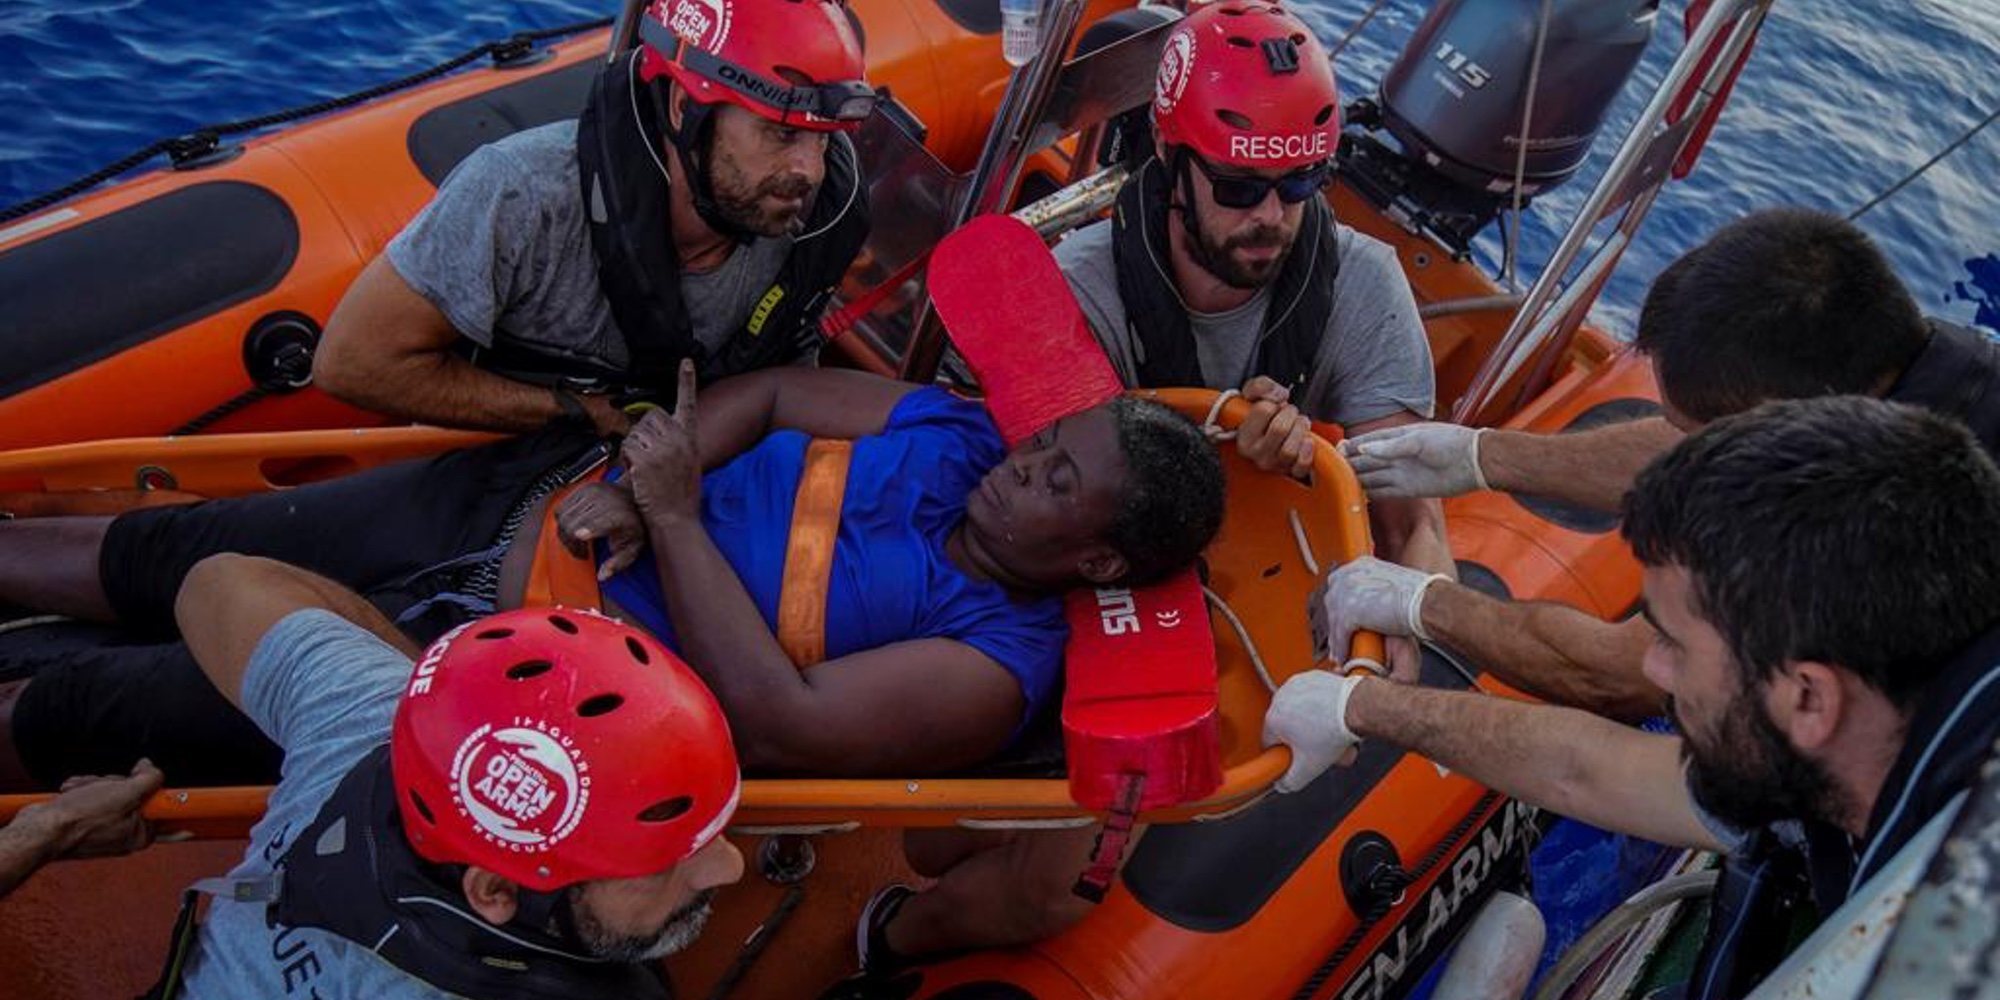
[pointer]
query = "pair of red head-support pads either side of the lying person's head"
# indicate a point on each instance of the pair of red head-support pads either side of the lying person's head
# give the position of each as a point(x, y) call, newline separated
point(1141, 667)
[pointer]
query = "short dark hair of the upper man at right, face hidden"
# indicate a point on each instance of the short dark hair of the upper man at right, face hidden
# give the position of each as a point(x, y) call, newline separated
point(1779, 305)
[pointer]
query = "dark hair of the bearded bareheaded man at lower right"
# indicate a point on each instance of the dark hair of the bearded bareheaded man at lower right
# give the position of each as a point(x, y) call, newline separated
point(1847, 531)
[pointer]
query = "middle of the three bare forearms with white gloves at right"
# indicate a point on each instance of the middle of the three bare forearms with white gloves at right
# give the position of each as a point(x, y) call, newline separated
point(1549, 649)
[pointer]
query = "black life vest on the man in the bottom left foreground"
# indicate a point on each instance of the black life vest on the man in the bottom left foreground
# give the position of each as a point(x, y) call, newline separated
point(355, 875)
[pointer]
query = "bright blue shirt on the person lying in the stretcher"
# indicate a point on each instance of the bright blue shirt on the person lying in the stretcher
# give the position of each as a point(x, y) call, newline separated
point(891, 579)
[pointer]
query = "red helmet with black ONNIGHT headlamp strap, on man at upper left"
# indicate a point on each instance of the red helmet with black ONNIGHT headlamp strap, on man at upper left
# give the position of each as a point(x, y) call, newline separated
point(791, 61)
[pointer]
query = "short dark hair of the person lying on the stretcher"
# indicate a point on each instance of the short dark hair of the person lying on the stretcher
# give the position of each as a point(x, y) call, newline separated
point(1173, 495)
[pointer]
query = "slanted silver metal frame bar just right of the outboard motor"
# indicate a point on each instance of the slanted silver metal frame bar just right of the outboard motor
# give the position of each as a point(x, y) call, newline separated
point(1555, 309)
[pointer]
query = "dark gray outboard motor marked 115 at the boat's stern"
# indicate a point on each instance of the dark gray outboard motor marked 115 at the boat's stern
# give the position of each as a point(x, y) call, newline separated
point(1453, 103)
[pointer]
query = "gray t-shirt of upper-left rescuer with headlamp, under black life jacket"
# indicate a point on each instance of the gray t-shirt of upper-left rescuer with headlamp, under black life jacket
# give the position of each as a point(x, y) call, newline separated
point(503, 253)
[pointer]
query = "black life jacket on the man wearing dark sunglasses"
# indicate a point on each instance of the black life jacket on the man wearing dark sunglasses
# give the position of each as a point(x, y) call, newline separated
point(1157, 319)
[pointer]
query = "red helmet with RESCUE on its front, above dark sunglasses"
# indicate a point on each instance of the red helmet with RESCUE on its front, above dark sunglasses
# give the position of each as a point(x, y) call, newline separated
point(1245, 83)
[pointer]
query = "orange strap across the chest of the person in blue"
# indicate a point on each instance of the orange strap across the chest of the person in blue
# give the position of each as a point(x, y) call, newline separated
point(809, 559)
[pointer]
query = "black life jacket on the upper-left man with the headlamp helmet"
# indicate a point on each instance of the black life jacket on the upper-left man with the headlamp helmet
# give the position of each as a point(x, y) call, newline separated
point(625, 191)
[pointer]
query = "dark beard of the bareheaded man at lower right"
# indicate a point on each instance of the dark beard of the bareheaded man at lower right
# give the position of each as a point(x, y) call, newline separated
point(1755, 777)
